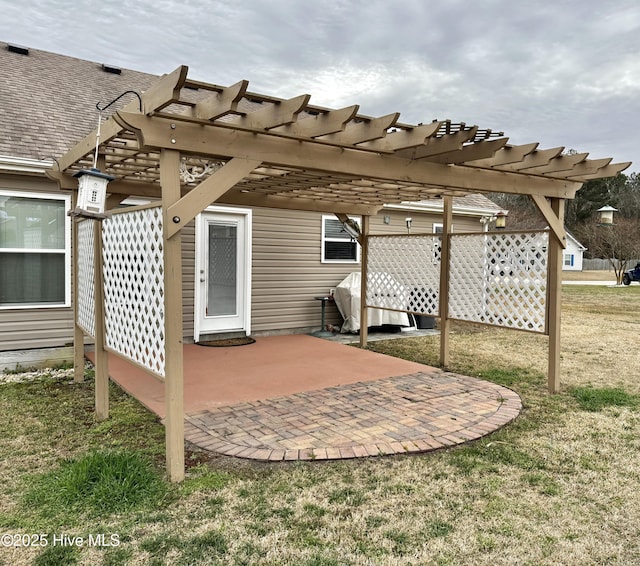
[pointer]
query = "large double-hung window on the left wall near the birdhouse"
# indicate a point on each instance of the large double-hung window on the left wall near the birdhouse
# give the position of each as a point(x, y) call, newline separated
point(34, 250)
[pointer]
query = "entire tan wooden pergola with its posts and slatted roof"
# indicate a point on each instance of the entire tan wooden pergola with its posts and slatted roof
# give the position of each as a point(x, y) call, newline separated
point(191, 144)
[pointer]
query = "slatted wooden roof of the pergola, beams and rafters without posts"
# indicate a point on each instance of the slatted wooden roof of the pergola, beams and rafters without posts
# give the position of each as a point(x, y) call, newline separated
point(297, 137)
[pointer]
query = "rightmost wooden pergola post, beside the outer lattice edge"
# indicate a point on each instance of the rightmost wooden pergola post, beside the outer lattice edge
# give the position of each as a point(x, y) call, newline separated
point(555, 298)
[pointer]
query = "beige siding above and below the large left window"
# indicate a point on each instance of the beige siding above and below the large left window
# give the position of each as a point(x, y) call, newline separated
point(38, 327)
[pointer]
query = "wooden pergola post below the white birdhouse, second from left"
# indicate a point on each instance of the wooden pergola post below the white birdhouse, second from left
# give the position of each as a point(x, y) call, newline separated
point(101, 356)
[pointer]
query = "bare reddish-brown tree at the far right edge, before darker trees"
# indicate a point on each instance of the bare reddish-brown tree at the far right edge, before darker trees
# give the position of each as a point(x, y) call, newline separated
point(618, 243)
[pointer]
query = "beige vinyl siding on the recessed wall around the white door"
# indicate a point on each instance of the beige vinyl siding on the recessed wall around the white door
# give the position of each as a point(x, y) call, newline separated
point(287, 268)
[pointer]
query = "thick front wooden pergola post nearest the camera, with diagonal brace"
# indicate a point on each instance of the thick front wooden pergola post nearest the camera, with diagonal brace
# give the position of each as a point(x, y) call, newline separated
point(174, 378)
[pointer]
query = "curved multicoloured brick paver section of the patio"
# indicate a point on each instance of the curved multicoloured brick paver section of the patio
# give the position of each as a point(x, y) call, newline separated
point(407, 414)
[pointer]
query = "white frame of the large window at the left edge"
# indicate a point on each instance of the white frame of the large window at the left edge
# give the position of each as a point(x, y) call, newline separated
point(67, 249)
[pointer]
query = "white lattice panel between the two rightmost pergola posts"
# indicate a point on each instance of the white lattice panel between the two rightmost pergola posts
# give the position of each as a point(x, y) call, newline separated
point(499, 279)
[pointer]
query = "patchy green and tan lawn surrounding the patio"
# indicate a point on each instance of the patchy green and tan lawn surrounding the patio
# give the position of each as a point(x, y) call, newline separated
point(560, 485)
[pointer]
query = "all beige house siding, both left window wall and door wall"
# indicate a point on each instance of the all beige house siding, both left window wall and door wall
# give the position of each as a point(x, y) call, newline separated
point(287, 273)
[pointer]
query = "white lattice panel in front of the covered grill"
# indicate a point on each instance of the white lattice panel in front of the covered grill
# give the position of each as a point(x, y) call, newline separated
point(404, 273)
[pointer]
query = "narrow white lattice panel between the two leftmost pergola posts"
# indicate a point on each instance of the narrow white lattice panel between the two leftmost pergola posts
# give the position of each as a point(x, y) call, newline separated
point(85, 315)
